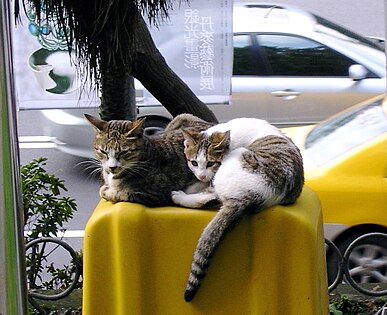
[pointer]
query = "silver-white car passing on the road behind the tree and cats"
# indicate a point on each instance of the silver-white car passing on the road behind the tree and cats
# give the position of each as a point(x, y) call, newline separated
point(290, 67)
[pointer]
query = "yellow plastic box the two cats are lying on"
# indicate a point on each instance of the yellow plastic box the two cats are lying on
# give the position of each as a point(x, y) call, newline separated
point(137, 259)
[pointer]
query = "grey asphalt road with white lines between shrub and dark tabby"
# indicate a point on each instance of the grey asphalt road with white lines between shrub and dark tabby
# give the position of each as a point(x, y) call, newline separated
point(80, 184)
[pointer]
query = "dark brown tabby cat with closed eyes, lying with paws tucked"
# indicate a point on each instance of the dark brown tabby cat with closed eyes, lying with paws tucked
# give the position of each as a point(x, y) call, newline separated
point(142, 169)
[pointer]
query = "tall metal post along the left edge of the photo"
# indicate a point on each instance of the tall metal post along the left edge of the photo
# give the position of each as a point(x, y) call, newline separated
point(13, 293)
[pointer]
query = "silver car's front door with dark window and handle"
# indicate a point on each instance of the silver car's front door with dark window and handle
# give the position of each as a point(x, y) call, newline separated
point(308, 81)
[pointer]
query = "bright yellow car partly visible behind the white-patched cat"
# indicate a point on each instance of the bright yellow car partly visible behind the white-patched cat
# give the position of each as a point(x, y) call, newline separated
point(345, 160)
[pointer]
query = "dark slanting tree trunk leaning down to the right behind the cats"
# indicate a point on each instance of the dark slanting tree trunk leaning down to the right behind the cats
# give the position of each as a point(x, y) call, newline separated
point(151, 69)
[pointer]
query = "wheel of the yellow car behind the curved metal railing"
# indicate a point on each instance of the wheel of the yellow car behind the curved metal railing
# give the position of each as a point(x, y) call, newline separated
point(367, 262)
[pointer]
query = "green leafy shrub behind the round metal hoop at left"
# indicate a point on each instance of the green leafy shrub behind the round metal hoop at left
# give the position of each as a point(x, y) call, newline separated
point(45, 213)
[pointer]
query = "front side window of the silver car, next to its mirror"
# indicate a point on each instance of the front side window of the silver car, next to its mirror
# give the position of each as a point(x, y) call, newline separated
point(298, 56)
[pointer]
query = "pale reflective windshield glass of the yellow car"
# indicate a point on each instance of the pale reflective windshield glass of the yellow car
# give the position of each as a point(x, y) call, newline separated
point(340, 134)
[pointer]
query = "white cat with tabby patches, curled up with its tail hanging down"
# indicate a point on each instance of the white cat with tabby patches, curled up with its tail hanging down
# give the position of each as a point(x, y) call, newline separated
point(251, 165)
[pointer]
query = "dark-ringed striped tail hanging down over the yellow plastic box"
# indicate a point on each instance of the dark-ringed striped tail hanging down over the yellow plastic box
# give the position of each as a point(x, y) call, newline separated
point(229, 214)
